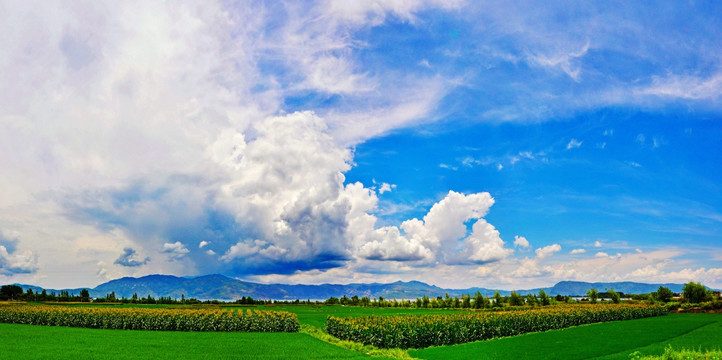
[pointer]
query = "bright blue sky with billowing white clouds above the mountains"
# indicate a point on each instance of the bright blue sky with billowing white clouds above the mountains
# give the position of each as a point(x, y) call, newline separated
point(504, 145)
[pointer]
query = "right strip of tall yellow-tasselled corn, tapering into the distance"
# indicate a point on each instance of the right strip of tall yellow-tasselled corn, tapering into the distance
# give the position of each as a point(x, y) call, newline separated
point(420, 331)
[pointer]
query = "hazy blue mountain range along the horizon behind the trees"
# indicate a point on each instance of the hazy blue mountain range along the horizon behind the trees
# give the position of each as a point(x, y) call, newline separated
point(224, 288)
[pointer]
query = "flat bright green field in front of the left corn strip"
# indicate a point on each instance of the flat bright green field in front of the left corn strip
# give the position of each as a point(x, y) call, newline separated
point(46, 342)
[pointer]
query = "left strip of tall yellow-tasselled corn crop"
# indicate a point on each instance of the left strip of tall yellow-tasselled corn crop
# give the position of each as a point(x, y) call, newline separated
point(151, 319)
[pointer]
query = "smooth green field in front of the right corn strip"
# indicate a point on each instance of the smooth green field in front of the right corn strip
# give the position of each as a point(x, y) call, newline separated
point(612, 340)
